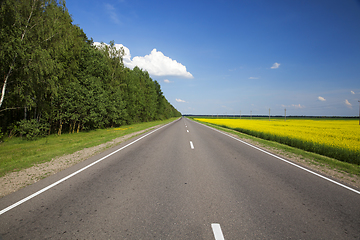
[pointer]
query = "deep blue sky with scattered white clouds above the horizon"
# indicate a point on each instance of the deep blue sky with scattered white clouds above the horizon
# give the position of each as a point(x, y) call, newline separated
point(224, 56)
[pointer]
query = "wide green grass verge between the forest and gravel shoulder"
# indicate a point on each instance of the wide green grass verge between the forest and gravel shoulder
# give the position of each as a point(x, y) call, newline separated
point(17, 154)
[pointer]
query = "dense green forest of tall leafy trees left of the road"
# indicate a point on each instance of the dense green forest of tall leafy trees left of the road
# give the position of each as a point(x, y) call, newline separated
point(55, 80)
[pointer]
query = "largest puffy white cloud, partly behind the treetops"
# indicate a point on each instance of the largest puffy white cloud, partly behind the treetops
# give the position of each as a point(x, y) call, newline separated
point(156, 63)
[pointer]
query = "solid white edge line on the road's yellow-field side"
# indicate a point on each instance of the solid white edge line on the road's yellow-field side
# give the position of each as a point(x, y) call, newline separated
point(282, 159)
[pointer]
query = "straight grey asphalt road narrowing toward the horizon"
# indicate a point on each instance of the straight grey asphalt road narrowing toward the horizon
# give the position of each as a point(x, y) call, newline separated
point(174, 184)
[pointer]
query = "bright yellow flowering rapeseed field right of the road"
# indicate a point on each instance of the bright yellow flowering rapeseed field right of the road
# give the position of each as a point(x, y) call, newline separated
point(334, 138)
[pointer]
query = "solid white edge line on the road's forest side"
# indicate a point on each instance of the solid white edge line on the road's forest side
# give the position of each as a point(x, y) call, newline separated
point(78, 171)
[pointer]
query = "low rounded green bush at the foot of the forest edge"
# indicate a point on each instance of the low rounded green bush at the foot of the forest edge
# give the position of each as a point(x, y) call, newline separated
point(32, 129)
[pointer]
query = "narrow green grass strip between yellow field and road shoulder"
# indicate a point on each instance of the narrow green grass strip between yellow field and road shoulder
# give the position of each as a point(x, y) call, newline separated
point(311, 158)
